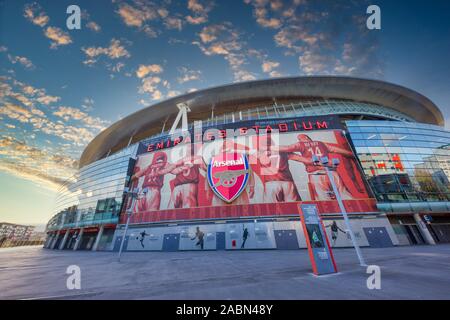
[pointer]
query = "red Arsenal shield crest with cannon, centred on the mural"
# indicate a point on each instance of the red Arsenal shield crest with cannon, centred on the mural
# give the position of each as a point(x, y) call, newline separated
point(228, 175)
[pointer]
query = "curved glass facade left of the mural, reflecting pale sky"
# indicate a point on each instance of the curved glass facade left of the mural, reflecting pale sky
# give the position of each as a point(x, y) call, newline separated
point(94, 195)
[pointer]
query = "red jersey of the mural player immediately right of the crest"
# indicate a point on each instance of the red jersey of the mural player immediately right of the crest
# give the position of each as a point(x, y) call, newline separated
point(274, 167)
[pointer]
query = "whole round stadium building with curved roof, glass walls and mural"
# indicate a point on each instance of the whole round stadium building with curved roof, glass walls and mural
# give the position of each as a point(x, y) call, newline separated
point(227, 168)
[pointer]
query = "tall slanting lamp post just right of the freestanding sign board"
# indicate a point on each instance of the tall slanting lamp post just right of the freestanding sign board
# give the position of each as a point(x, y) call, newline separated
point(325, 163)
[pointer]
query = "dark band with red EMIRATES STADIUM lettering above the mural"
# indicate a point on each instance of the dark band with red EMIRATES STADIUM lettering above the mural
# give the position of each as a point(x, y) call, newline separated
point(245, 128)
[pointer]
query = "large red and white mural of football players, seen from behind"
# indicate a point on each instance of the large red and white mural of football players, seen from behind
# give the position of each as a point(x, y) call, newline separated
point(247, 170)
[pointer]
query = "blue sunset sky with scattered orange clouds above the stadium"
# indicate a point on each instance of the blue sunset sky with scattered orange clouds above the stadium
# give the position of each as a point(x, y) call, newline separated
point(59, 88)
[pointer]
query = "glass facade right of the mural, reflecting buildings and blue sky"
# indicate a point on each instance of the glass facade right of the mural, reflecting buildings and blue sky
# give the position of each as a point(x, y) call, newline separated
point(403, 162)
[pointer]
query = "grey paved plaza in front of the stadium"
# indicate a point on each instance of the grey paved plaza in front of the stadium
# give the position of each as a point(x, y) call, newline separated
point(413, 272)
